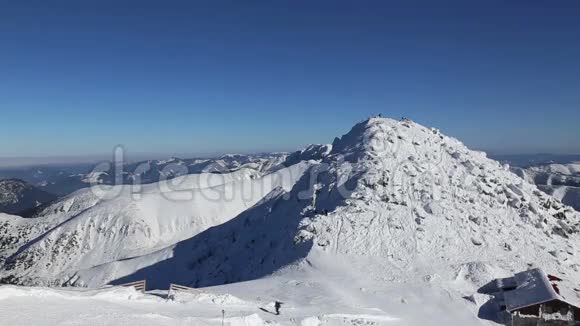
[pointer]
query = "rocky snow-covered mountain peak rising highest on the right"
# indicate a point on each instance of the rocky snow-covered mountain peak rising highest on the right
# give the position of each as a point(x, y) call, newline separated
point(411, 195)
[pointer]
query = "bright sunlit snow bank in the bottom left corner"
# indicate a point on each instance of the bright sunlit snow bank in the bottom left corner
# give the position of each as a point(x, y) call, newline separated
point(110, 306)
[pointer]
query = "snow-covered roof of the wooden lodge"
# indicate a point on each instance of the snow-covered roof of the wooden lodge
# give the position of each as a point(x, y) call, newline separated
point(533, 287)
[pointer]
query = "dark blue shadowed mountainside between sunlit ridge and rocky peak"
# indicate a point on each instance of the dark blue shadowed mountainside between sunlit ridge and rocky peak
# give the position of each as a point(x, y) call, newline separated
point(256, 243)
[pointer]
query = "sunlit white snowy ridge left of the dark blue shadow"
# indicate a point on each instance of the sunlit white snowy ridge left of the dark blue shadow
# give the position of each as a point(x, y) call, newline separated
point(100, 225)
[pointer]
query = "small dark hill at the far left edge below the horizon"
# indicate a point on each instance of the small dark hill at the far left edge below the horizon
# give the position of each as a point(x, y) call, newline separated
point(17, 196)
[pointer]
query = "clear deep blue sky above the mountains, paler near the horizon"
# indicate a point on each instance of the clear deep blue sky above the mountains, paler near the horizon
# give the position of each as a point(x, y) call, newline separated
point(78, 77)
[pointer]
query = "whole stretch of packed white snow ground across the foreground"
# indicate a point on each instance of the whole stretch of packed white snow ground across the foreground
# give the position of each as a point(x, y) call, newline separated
point(309, 299)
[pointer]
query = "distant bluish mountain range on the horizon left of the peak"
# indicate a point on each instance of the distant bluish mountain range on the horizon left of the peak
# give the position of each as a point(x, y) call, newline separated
point(25, 190)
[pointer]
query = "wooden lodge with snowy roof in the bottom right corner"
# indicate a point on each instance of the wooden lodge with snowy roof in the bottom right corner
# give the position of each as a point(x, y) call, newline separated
point(535, 298)
